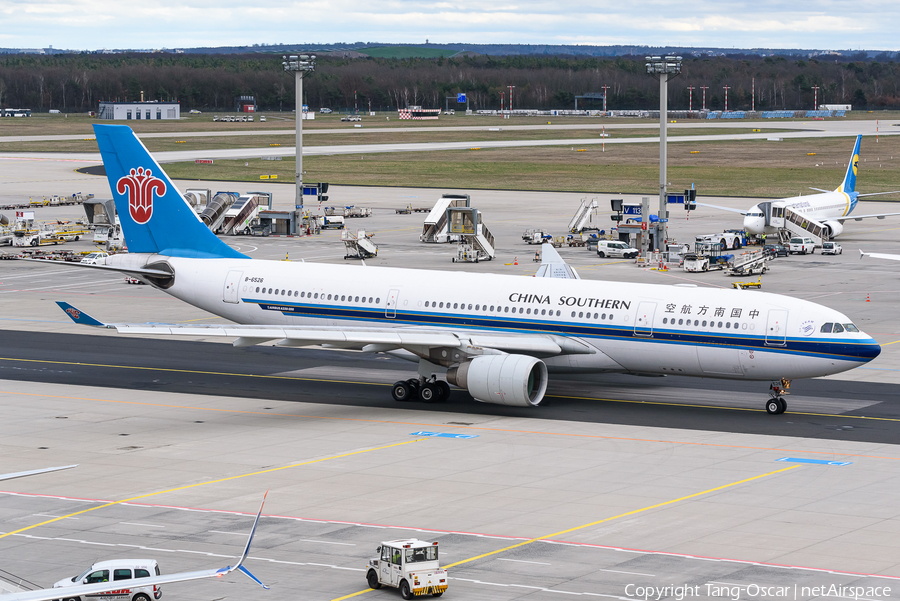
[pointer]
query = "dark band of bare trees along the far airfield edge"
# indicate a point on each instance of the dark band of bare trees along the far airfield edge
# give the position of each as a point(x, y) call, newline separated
point(78, 82)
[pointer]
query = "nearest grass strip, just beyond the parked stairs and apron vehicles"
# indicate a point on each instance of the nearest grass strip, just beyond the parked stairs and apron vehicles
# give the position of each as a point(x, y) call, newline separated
point(730, 168)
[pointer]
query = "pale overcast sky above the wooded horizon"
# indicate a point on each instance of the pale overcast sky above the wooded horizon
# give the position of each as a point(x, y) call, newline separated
point(149, 24)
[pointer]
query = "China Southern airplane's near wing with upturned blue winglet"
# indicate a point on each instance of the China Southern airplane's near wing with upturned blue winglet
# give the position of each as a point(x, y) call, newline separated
point(416, 340)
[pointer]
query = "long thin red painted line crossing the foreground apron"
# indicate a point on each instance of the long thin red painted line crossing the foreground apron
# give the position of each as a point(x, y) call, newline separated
point(478, 534)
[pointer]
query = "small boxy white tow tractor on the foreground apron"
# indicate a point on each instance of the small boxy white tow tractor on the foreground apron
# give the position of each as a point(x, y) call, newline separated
point(411, 565)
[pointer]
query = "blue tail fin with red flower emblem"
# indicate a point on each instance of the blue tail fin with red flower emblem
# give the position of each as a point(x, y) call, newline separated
point(155, 217)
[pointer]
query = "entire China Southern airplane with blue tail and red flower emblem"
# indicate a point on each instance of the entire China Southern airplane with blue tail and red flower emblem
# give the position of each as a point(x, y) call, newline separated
point(497, 336)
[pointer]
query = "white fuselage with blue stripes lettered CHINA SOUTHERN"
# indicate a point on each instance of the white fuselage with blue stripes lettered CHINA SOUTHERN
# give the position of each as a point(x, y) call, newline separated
point(634, 328)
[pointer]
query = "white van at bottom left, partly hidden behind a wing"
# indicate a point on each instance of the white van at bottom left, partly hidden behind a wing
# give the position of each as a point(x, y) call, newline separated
point(123, 575)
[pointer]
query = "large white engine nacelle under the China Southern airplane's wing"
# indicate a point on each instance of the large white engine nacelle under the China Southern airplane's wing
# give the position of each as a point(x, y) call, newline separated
point(516, 380)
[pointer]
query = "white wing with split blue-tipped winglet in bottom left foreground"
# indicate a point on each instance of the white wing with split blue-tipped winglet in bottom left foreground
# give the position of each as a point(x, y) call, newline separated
point(82, 590)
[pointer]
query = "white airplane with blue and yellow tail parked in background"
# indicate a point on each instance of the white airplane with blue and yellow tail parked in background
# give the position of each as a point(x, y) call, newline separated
point(830, 209)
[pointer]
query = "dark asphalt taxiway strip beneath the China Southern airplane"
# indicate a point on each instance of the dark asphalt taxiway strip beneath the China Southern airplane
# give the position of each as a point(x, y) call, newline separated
point(847, 411)
